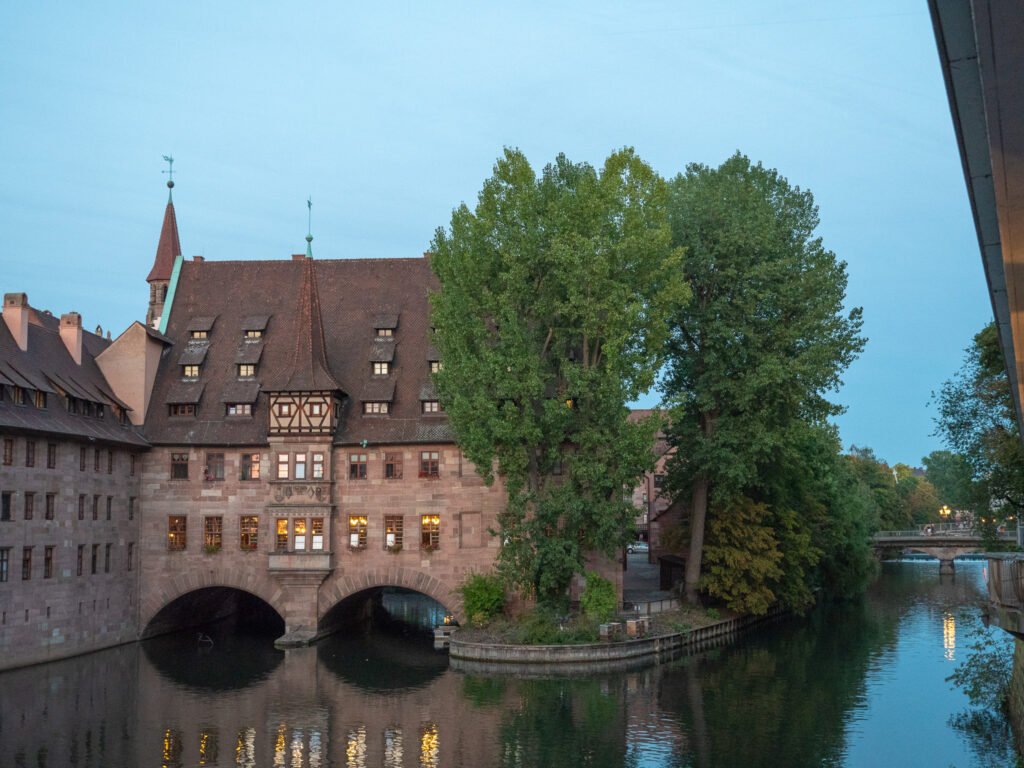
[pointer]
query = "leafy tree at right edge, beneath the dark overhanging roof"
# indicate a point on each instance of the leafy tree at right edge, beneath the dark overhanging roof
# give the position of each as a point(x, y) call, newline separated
point(977, 421)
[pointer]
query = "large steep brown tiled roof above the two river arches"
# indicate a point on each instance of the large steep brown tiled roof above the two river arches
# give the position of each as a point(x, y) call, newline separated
point(352, 296)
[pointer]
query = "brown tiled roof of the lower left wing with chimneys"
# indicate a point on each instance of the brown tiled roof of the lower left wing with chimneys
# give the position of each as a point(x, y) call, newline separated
point(48, 366)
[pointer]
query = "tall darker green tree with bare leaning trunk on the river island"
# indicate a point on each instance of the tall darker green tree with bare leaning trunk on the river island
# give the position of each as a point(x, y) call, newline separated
point(763, 340)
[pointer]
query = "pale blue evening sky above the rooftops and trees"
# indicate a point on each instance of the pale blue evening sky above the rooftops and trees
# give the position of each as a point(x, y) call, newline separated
point(390, 115)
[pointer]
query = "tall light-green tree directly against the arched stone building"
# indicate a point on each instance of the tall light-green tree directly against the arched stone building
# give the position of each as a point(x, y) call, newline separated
point(549, 320)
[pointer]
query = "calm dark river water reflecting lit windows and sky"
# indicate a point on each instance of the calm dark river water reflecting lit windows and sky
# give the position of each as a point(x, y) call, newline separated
point(860, 685)
